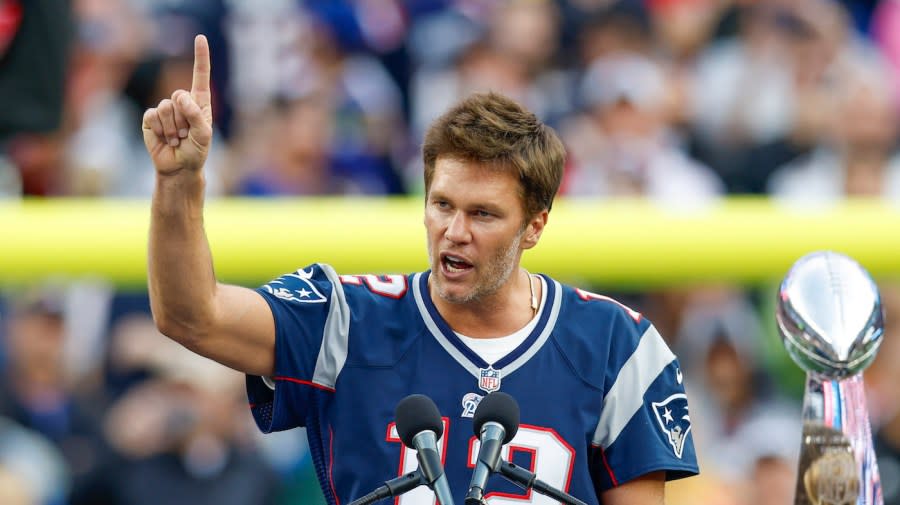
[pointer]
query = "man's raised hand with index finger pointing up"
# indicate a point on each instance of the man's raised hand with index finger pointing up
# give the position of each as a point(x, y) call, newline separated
point(178, 132)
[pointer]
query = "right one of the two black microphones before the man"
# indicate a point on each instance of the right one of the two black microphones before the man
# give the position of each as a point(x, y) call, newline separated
point(495, 423)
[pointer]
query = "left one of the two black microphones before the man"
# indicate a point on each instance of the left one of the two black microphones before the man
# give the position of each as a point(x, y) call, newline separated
point(419, 425)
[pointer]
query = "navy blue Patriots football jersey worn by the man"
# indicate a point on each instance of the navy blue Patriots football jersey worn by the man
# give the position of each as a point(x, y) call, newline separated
point(600, 393)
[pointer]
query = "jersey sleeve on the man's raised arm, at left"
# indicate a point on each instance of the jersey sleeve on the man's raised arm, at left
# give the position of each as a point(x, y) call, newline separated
point(312, 321)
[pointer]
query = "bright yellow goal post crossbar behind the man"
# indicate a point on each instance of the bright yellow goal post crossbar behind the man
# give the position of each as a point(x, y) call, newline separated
point(622, 243)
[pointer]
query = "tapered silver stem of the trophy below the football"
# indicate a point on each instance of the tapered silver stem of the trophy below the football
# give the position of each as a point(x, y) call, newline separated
point(837, 458)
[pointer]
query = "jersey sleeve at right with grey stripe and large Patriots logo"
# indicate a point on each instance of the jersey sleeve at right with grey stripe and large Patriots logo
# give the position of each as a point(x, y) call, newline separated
point(645, 424)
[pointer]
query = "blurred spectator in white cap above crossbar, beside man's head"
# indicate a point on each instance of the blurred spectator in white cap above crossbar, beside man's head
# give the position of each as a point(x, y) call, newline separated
point(623, 146)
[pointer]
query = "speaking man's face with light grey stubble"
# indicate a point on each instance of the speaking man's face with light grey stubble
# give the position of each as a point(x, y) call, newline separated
point(474, 220)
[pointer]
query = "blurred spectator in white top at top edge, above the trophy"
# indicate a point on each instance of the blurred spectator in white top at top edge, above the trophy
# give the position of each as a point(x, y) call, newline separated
point(800, 52)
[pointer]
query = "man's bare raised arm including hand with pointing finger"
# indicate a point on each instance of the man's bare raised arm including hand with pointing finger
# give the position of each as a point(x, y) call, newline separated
point(229, 324)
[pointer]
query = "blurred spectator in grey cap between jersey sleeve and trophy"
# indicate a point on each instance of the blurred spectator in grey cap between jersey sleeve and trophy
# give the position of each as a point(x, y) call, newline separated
point(737, 415)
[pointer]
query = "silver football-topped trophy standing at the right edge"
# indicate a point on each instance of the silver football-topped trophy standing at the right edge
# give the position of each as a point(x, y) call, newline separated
point(831, 323)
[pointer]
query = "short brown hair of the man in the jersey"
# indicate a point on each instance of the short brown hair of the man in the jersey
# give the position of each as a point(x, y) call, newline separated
point(491, 128)
